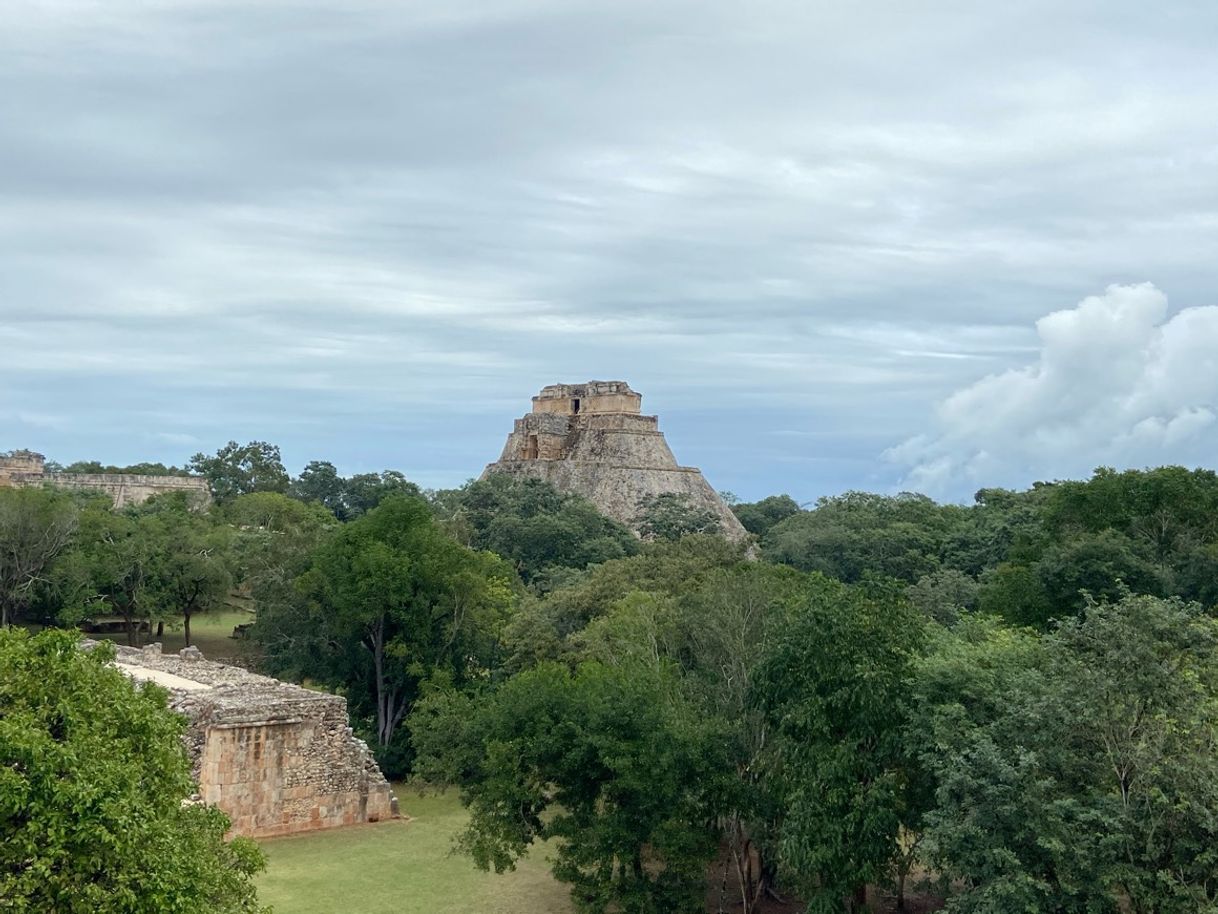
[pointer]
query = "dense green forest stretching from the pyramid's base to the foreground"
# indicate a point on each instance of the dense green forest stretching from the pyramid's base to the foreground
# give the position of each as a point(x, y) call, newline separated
point(1010, 705)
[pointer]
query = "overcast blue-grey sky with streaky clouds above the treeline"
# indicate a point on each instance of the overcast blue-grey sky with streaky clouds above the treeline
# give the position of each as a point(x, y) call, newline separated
point(871, 246)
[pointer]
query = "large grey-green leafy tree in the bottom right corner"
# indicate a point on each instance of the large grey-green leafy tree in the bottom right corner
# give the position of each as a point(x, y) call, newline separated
point(1076, 772)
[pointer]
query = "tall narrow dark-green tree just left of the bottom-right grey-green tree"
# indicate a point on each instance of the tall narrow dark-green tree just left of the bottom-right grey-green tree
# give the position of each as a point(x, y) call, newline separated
point(833, 689)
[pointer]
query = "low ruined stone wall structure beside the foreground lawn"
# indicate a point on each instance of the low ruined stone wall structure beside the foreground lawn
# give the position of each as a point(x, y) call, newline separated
point(275, 757)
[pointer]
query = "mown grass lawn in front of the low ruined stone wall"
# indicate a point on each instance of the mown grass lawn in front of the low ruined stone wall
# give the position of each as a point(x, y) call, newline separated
point(401, 868)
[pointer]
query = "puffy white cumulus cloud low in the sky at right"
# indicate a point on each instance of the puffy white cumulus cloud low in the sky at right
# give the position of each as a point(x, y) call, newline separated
point(1119, 382)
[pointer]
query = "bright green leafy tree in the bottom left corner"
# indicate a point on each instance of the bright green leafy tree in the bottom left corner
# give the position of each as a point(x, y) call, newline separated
point(93, 784)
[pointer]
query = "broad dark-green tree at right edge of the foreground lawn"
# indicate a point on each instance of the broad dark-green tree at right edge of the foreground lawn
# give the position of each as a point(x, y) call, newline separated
point(607, 760)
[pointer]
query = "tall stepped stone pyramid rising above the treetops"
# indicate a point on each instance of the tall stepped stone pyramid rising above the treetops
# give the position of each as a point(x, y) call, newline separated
point(593, 441)
